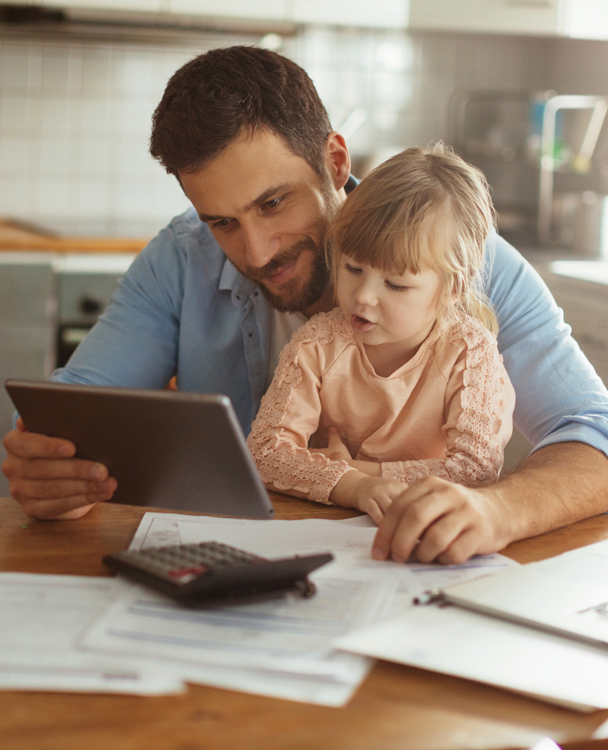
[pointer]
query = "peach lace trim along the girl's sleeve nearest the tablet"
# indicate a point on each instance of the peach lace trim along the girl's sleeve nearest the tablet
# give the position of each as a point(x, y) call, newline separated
point(282, 463)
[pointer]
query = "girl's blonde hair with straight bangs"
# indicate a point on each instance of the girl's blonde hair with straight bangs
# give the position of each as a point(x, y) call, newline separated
point(424, 207)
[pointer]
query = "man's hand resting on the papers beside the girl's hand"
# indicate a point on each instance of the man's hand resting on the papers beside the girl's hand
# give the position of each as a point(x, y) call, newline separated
point(438, 520)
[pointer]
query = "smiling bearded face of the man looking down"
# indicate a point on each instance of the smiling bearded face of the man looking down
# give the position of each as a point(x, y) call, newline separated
point(269, 211)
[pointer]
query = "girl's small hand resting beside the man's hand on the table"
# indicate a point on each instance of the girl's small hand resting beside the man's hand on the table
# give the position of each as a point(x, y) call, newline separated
point(371, 495)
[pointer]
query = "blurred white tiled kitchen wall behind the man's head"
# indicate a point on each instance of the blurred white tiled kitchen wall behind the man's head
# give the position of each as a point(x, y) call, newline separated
point(75, 115)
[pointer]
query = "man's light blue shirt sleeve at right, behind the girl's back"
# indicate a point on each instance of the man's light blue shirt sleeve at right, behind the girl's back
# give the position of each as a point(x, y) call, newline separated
point(560, 397)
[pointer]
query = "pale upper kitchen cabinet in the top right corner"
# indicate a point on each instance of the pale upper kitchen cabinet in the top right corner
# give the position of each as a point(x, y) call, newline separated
point(581, 19)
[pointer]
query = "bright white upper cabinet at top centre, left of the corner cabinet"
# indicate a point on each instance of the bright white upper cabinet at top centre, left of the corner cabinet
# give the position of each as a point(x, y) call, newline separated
point(381, 13)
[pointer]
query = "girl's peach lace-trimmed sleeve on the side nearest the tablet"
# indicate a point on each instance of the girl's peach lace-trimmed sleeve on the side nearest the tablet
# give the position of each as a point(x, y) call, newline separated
point(289, 415)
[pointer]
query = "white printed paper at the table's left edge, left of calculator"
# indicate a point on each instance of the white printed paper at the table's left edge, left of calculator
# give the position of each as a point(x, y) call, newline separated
point(41, 618)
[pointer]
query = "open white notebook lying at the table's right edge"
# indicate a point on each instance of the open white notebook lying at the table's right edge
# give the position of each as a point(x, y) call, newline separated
point(566, 594)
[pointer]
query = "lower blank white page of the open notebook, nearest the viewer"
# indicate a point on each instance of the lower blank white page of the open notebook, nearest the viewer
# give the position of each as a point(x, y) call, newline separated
point(453, 641)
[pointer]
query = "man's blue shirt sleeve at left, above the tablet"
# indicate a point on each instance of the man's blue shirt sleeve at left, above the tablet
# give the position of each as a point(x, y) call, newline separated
point(134, 343)
